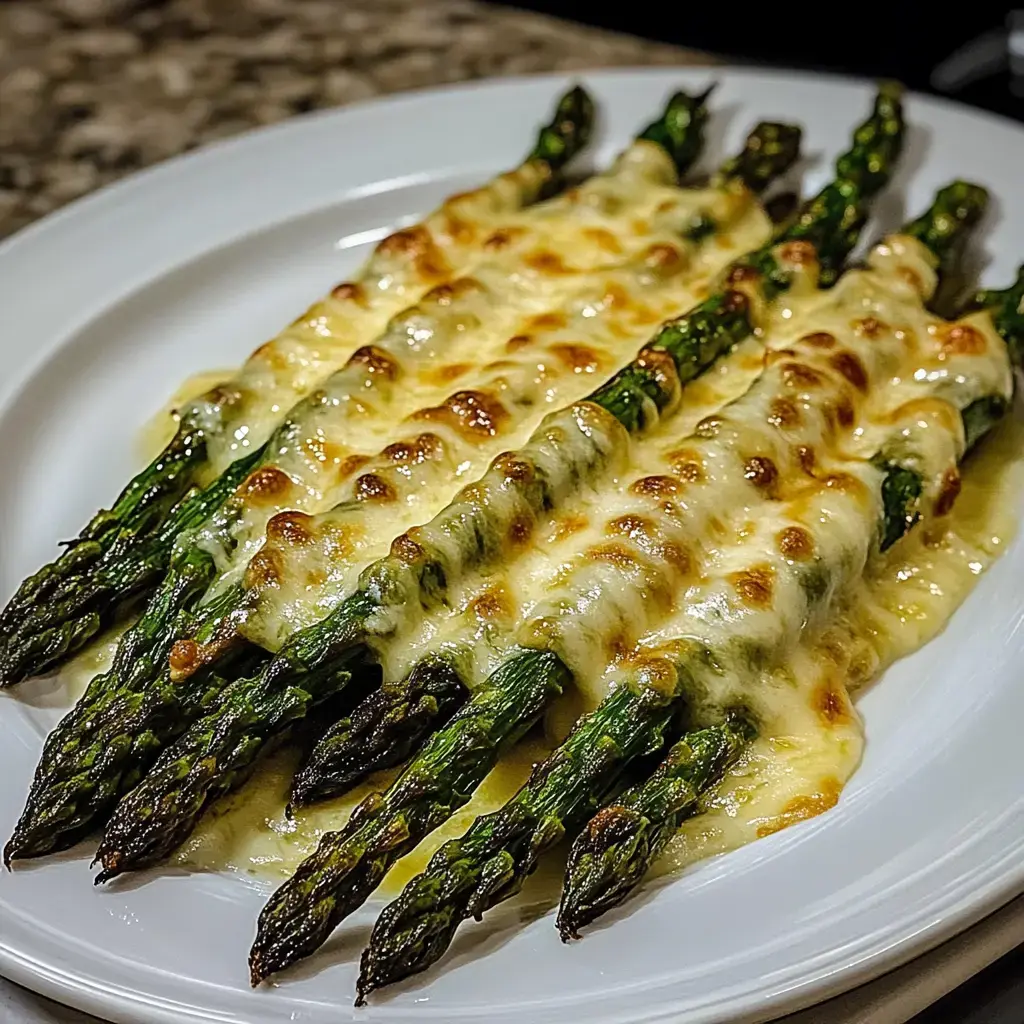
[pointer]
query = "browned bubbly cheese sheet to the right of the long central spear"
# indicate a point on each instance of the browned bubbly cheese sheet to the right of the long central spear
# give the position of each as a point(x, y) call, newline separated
point(620, 556)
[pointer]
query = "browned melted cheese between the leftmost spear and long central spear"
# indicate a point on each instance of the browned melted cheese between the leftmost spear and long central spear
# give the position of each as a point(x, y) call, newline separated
point(391, 438)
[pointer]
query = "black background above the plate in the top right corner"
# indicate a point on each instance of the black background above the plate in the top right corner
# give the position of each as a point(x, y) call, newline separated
point(906, 41)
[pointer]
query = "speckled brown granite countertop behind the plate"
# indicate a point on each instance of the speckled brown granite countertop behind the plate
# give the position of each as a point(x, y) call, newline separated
point(92, 91)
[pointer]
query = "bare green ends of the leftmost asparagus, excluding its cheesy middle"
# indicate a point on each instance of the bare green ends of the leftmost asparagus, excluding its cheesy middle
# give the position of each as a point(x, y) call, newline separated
point(56, 612)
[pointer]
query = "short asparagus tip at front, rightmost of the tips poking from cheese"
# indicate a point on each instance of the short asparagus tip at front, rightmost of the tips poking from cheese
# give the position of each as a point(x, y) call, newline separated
point(612, 856)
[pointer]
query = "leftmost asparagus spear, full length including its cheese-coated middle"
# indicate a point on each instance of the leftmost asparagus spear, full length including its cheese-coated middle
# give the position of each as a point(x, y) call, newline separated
point(77, 606)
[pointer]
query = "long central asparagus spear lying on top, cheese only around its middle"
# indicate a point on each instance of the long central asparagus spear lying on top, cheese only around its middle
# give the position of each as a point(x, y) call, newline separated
point(570, 450)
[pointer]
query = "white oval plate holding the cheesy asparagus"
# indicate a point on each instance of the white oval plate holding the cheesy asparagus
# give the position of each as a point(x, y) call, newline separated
point(109, 305)
